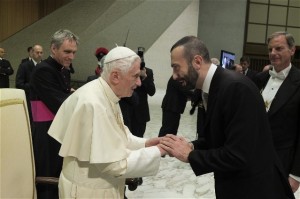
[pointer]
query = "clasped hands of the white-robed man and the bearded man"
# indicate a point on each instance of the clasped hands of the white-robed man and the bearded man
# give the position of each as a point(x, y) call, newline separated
point(172, 145)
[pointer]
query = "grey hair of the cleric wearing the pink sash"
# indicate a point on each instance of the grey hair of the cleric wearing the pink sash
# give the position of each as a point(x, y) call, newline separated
point(61, 35)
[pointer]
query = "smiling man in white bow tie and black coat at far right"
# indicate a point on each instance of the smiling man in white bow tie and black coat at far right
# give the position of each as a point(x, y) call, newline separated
point(280, 88)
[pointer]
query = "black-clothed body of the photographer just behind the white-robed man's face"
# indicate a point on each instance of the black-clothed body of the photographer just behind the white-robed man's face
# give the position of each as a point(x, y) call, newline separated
point(141, 114)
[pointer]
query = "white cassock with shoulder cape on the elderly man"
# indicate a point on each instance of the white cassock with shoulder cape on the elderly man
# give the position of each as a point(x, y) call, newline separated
point(98, 149)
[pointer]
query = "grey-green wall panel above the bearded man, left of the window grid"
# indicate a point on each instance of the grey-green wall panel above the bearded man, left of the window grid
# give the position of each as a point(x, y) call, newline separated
point(222, 26)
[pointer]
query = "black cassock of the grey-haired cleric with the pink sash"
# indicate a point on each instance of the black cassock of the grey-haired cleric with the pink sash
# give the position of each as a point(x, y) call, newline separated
point(47, 85)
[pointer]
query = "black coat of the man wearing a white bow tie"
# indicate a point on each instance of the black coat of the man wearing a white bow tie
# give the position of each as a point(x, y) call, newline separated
point(284, 118)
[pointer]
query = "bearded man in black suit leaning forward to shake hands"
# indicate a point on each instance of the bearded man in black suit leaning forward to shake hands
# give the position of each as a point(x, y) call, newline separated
point(238, 145)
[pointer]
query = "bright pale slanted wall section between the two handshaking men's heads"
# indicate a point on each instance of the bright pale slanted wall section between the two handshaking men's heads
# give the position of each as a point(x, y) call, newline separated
point(158, 55)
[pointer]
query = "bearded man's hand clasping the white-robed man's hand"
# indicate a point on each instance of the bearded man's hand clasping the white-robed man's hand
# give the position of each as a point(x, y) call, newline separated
point(176, 146)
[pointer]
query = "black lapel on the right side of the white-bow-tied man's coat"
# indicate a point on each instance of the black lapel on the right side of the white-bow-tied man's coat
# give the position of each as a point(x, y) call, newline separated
point(286, 90)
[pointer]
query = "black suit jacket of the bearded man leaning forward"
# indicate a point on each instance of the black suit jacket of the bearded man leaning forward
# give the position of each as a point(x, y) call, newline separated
point(238, 144)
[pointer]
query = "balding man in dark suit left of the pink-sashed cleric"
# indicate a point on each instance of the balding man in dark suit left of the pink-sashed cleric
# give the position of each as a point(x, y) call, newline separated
point(23, 75)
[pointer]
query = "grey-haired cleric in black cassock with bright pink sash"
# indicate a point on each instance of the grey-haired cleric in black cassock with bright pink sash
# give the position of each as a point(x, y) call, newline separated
point(48, 90)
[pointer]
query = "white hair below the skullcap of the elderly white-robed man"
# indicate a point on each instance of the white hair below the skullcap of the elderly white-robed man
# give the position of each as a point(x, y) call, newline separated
point(123, 65)
